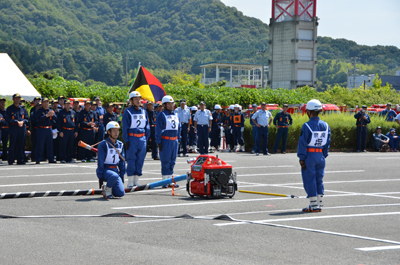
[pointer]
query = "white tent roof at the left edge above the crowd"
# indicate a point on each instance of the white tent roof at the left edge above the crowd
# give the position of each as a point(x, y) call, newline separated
point(12, 80)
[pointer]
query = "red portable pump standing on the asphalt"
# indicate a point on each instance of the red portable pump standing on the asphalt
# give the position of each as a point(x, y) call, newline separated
point(210, 177)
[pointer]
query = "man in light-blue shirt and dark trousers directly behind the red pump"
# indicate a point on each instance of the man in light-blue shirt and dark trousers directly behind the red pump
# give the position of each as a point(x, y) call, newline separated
point(202, 124)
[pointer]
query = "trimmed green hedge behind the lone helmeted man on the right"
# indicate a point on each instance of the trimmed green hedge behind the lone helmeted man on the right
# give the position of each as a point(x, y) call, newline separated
point(343, 131)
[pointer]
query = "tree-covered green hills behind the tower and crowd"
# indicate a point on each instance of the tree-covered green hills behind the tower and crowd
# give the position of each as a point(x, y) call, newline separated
point(93, 36)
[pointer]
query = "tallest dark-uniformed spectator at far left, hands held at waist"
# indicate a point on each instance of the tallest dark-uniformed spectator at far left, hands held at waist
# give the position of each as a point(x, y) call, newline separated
point(17, 118)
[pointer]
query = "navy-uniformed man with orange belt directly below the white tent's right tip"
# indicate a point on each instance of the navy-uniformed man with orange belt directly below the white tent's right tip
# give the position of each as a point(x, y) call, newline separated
point(45, 119)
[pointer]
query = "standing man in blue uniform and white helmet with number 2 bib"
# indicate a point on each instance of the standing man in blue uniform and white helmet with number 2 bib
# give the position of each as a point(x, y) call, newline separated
point(136, 132)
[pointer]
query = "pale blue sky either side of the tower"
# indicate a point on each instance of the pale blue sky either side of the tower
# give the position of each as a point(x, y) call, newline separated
point(367, 22)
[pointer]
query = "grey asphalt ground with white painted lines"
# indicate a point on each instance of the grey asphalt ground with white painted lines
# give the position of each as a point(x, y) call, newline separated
point(359, 223)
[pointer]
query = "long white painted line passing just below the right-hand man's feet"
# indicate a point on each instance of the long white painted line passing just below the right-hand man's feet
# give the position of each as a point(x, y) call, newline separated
point(314, 218)
